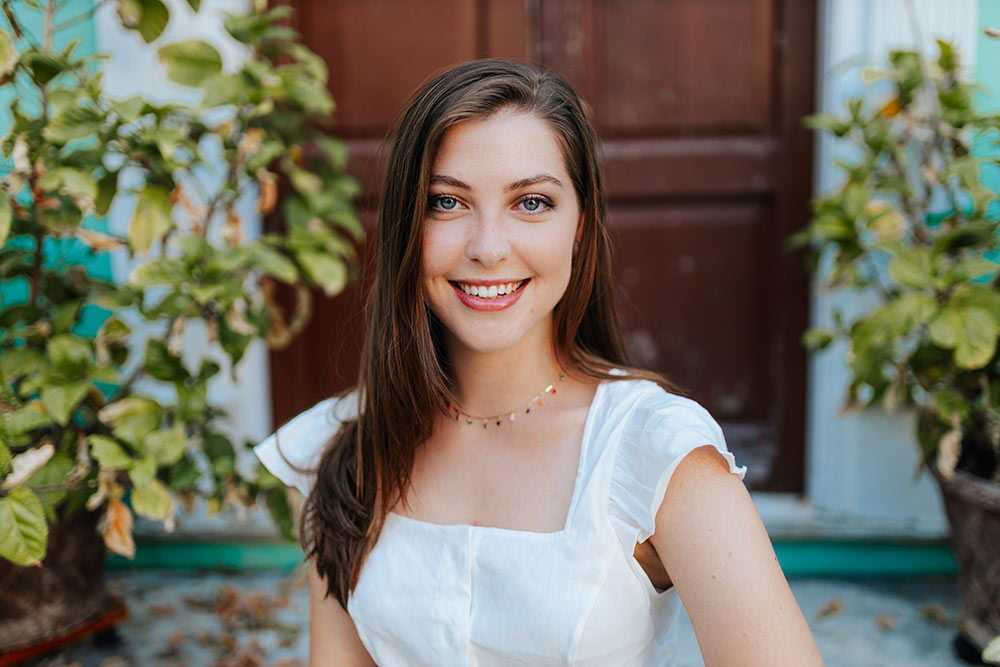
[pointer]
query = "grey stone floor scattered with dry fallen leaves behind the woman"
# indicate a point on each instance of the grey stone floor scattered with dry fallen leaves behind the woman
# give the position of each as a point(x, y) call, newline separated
point(246, 620)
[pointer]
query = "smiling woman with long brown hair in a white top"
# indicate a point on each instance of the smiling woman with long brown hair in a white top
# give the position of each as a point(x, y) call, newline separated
point(495, 491)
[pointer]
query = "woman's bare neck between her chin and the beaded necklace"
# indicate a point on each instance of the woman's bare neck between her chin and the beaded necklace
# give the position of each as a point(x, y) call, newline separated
point(495, 382)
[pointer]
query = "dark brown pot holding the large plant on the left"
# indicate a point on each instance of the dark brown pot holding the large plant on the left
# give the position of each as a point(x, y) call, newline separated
point(42, 604)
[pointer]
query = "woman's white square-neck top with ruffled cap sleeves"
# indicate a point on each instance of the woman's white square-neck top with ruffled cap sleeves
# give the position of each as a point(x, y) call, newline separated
point(443, 595)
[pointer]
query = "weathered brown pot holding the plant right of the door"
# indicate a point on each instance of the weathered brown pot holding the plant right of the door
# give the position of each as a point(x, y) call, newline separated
point(973, 508)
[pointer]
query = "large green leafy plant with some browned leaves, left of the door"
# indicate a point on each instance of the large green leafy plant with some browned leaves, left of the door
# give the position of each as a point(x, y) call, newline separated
point(75, 433)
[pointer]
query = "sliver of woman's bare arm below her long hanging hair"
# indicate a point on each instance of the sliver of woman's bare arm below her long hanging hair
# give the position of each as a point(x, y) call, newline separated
point(333, 639)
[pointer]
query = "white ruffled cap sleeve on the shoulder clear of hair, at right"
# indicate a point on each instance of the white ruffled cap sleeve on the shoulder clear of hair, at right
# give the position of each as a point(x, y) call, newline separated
point(659, 433)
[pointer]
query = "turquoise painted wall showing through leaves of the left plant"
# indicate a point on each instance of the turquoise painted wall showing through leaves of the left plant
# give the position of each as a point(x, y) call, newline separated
point(57, 252)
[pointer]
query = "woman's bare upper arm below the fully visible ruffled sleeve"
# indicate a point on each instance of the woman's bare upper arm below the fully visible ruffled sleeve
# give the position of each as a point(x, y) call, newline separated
point(714, 546)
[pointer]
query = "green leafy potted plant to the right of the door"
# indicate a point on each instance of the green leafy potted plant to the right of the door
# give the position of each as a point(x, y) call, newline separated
point(914, 223)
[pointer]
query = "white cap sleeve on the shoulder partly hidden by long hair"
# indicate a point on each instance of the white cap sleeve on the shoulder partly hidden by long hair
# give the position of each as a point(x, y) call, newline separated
point(292, 452)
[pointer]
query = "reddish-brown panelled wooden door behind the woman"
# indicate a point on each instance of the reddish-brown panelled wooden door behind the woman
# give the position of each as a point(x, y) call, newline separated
point(698, 104)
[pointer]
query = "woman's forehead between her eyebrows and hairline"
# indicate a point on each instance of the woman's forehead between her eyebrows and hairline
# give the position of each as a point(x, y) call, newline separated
point(506, 146)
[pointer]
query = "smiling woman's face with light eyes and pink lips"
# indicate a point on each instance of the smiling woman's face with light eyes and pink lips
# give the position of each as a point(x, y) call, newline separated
point(502, 216)
